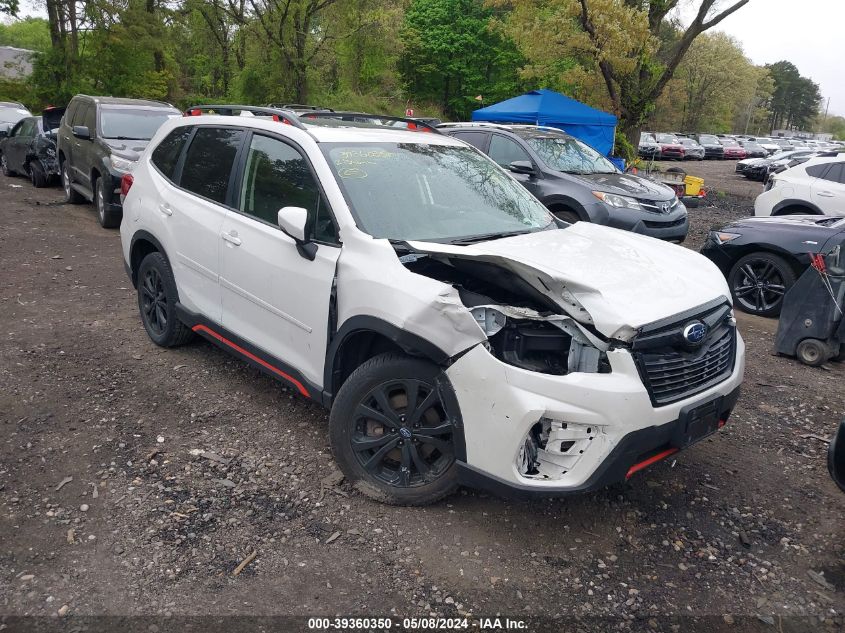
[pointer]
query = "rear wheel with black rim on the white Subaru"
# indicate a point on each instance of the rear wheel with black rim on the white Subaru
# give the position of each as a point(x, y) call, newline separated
point(157, 299)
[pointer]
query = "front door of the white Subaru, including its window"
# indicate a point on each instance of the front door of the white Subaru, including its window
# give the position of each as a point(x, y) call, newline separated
point(273, 296)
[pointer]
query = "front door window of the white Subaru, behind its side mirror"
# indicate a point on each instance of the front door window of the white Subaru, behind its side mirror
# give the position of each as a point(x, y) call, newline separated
point(276, 176)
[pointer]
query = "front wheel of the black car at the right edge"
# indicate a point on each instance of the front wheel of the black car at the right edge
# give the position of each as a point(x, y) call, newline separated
point(758, 283)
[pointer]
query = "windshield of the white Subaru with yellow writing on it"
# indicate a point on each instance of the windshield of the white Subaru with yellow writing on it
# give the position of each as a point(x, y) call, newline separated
point(440, 193)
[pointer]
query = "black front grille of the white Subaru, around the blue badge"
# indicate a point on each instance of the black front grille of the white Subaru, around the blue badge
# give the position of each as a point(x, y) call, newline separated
point(671, 369)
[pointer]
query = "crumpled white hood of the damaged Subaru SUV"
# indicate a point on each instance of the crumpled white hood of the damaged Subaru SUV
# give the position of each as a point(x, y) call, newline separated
point(621, 280)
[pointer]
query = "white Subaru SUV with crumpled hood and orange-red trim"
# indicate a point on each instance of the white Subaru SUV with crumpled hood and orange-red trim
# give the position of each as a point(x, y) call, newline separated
point(458, 332)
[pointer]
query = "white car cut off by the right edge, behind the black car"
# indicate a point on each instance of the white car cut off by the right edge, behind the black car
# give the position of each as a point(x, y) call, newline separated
point(814, 187)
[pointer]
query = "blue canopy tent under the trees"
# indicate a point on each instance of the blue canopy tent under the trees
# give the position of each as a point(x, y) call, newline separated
point(547, 107)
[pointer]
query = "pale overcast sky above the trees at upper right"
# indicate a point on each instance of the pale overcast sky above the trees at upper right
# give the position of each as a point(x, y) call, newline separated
point(807, 33)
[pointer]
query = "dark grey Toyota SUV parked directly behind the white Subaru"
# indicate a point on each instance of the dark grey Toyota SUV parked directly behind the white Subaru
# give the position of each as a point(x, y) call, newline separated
point(575, 181)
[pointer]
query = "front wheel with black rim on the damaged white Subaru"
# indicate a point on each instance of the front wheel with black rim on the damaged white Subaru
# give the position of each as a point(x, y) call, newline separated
point(391, 433)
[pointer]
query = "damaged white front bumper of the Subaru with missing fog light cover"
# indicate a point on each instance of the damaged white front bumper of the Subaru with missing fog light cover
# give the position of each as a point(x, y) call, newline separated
point(500, 403)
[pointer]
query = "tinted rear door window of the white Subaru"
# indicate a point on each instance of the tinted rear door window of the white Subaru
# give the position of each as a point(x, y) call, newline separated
point(208, 163)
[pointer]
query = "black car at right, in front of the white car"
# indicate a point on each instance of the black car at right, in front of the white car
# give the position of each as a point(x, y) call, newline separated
point(761, 257)
